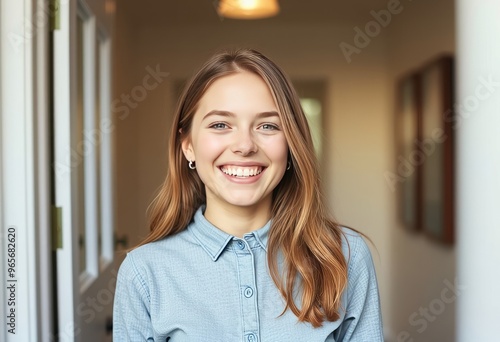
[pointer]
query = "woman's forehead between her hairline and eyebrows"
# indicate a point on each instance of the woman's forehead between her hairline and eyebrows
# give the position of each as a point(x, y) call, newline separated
point(240, 92)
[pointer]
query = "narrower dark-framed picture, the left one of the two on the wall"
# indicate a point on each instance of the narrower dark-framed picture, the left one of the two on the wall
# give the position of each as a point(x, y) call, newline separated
point(408, 126)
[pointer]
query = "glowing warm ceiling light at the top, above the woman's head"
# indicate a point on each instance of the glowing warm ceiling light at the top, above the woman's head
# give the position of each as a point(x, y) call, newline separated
point(248, 9)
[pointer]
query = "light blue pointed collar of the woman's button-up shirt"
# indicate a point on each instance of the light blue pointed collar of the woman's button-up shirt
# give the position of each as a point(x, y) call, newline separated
point(214, 241)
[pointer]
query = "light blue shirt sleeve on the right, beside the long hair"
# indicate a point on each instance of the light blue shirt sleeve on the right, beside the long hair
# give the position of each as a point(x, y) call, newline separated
point(363, 319)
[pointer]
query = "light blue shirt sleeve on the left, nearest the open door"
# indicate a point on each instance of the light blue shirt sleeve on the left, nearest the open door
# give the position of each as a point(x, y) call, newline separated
point(131, 316)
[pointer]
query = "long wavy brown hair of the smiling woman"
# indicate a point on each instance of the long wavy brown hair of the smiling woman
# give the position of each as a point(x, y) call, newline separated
point(302, 231)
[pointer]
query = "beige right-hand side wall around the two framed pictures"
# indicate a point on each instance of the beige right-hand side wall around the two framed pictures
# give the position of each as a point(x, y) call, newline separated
point(420, 267)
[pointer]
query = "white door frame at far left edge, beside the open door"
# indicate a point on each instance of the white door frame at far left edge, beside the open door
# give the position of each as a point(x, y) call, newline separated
point(25, 167)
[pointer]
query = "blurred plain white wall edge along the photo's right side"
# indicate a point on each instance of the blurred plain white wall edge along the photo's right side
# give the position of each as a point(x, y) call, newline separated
point(478, 151)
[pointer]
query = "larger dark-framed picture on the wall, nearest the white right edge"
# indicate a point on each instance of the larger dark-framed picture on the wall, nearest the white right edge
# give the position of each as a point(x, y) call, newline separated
point(436, 144)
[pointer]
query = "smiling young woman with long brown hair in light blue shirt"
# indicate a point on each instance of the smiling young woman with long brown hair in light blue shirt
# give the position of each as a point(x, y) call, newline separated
point(241, 246)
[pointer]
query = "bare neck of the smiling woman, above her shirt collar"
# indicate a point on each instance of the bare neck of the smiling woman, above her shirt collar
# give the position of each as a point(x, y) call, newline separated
point(237, 220)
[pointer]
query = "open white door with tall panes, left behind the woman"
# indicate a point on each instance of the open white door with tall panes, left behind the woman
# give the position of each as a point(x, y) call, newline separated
point(82, 152)
